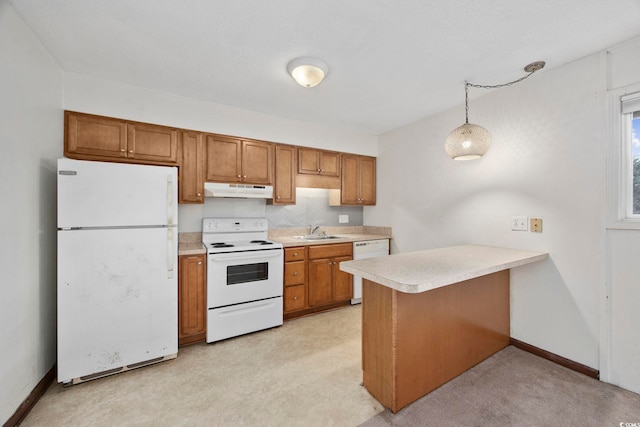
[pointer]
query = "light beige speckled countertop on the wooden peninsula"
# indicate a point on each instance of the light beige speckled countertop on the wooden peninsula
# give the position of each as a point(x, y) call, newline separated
point(415, 272)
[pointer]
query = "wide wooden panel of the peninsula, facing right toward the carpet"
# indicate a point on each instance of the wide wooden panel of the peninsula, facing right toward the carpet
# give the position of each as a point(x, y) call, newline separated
point(446, 331)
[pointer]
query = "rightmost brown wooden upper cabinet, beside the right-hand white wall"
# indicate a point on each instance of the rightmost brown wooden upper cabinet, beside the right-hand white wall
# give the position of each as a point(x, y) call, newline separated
point(358, 185)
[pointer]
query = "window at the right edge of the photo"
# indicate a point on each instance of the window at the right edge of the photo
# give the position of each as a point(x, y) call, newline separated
point(631, 143)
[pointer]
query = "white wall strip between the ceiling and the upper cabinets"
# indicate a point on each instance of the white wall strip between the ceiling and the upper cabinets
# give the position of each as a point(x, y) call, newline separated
point(95, 96)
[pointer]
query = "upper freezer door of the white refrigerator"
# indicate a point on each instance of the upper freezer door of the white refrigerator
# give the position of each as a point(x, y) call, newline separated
point(102, 194)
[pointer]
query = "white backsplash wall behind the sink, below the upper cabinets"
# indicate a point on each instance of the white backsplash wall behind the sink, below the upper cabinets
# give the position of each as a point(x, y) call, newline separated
point(312, 208)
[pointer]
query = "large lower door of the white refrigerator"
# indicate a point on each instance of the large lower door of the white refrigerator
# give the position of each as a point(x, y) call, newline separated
point(117, 299)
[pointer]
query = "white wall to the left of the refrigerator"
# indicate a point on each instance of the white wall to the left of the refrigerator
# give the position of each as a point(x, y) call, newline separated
point(31, 134)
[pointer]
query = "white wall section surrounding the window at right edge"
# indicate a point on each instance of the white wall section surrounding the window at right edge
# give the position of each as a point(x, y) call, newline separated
point(620, 327)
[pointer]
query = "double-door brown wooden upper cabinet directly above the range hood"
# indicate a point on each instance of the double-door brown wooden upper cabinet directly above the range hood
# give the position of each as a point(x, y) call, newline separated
point(238, 160)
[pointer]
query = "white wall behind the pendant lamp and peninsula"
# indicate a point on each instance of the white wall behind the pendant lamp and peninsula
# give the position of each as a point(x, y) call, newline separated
point(547, 160)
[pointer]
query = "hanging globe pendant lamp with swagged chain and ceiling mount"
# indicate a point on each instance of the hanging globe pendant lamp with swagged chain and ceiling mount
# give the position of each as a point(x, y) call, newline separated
point(469, 141)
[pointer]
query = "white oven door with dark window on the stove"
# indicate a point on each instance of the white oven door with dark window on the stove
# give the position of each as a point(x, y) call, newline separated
point(238, 277)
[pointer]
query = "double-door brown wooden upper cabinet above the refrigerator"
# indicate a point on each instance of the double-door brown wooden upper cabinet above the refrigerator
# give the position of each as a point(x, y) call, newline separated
point(89, 137)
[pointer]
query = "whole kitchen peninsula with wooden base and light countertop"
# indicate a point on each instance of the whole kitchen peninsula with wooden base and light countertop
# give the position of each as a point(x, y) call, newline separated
point(430, 315)
